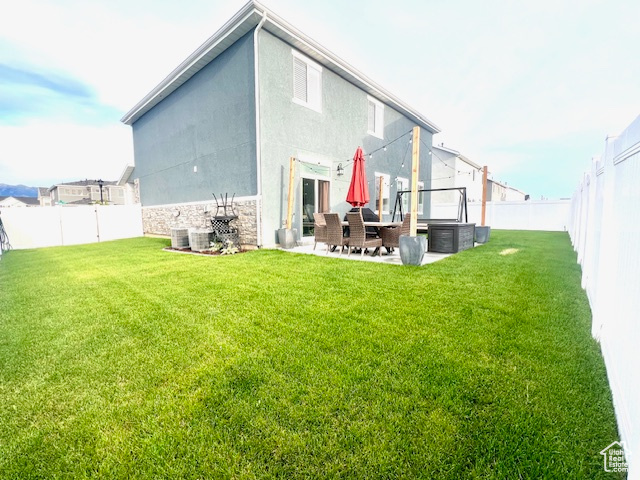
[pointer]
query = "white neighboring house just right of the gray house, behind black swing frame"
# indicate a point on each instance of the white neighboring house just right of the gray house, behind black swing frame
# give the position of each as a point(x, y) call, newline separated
point(451, 169)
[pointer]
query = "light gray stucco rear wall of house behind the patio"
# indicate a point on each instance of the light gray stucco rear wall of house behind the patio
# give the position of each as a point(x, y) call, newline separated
point(322, 136)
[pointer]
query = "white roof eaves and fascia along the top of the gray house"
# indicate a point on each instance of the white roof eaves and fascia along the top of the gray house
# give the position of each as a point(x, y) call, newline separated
point(240, 24)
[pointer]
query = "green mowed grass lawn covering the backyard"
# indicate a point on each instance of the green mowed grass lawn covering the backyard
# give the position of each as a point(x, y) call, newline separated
point(120, 360)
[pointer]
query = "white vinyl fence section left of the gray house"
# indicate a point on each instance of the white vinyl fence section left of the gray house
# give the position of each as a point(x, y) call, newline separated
point(36, 227)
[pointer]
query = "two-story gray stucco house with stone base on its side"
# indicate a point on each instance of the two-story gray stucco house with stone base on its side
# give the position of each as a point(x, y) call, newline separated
point(256, 93)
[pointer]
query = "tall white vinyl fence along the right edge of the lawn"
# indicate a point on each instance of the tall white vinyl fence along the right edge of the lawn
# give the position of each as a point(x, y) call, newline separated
point(606, 234)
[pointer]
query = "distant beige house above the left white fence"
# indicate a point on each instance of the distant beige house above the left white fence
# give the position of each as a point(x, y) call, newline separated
point(86, 192)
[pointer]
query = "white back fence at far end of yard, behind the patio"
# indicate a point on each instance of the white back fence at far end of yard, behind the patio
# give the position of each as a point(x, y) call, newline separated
point(550, 215)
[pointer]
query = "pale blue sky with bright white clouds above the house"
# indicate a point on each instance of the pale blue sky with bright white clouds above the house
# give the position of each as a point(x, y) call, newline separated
point(530, 89)
